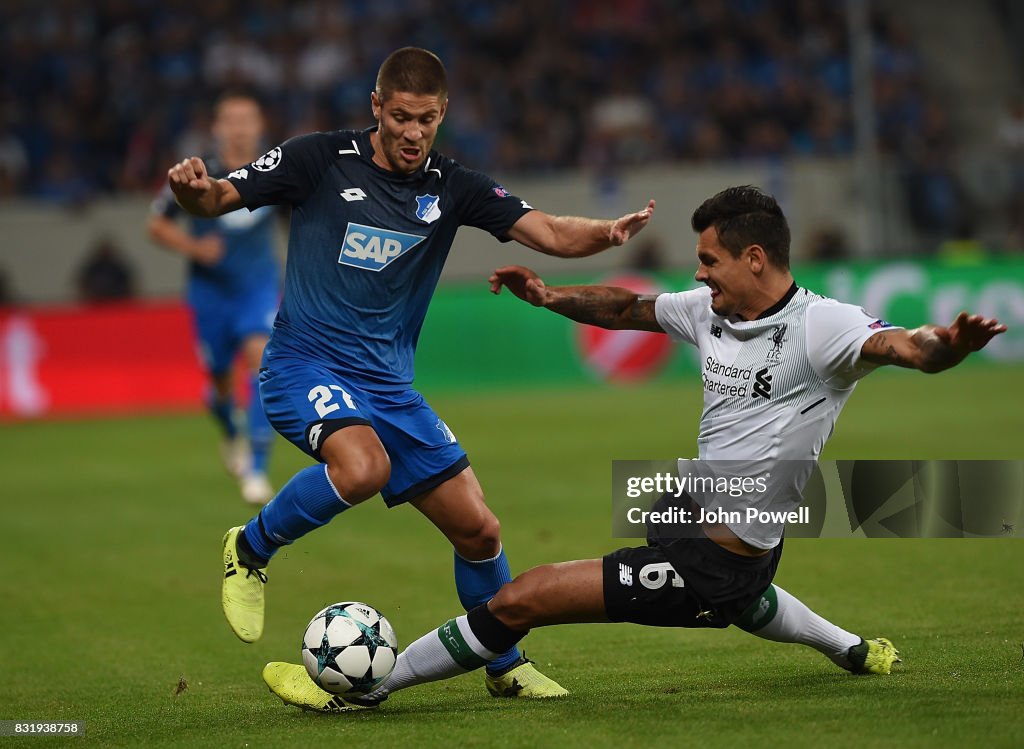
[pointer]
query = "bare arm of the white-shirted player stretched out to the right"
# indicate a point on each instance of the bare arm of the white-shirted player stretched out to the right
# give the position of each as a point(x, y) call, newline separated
point(932, 348)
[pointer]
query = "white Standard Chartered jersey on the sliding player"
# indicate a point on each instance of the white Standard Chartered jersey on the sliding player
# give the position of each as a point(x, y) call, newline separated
point(774, 388)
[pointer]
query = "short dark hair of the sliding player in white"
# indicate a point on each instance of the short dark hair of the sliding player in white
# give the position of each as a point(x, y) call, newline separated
point(745, 217)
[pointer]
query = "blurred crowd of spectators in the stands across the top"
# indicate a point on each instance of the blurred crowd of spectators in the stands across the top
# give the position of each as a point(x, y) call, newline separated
point(103, 97)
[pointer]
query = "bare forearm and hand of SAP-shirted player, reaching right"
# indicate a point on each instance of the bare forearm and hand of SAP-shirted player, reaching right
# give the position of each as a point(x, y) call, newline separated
point(575, 237)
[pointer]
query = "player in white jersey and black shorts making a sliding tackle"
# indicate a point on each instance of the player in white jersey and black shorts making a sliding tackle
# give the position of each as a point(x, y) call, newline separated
point(778, 364)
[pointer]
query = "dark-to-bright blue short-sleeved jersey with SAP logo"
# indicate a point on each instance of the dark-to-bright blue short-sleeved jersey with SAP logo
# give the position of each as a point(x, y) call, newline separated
point(366, 248)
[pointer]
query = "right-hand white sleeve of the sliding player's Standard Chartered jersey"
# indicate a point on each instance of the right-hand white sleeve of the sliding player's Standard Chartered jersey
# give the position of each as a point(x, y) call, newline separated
point(836, 334)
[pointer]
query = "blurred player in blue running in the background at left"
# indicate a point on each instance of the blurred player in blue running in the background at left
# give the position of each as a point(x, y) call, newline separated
point(234, 288)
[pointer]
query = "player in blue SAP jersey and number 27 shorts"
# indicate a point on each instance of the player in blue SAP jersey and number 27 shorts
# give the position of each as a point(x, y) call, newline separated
point(374, 215)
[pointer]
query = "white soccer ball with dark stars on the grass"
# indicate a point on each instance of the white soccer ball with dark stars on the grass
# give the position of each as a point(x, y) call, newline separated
point(350, 649)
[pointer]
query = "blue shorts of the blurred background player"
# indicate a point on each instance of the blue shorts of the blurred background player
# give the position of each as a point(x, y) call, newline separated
point(223, 323)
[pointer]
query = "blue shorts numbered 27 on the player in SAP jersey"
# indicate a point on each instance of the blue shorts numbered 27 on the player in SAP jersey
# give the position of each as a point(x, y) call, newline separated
point(308, 402)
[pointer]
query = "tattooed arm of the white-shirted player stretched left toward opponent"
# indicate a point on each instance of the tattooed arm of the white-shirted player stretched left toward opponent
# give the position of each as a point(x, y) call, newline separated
point(606, 307)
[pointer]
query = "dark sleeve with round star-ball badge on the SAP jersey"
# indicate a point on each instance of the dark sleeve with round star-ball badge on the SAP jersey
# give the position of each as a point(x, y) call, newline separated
point(286, 175)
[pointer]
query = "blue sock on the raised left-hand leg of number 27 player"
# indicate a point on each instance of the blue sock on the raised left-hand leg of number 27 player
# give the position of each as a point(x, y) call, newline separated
point(307, 503)
